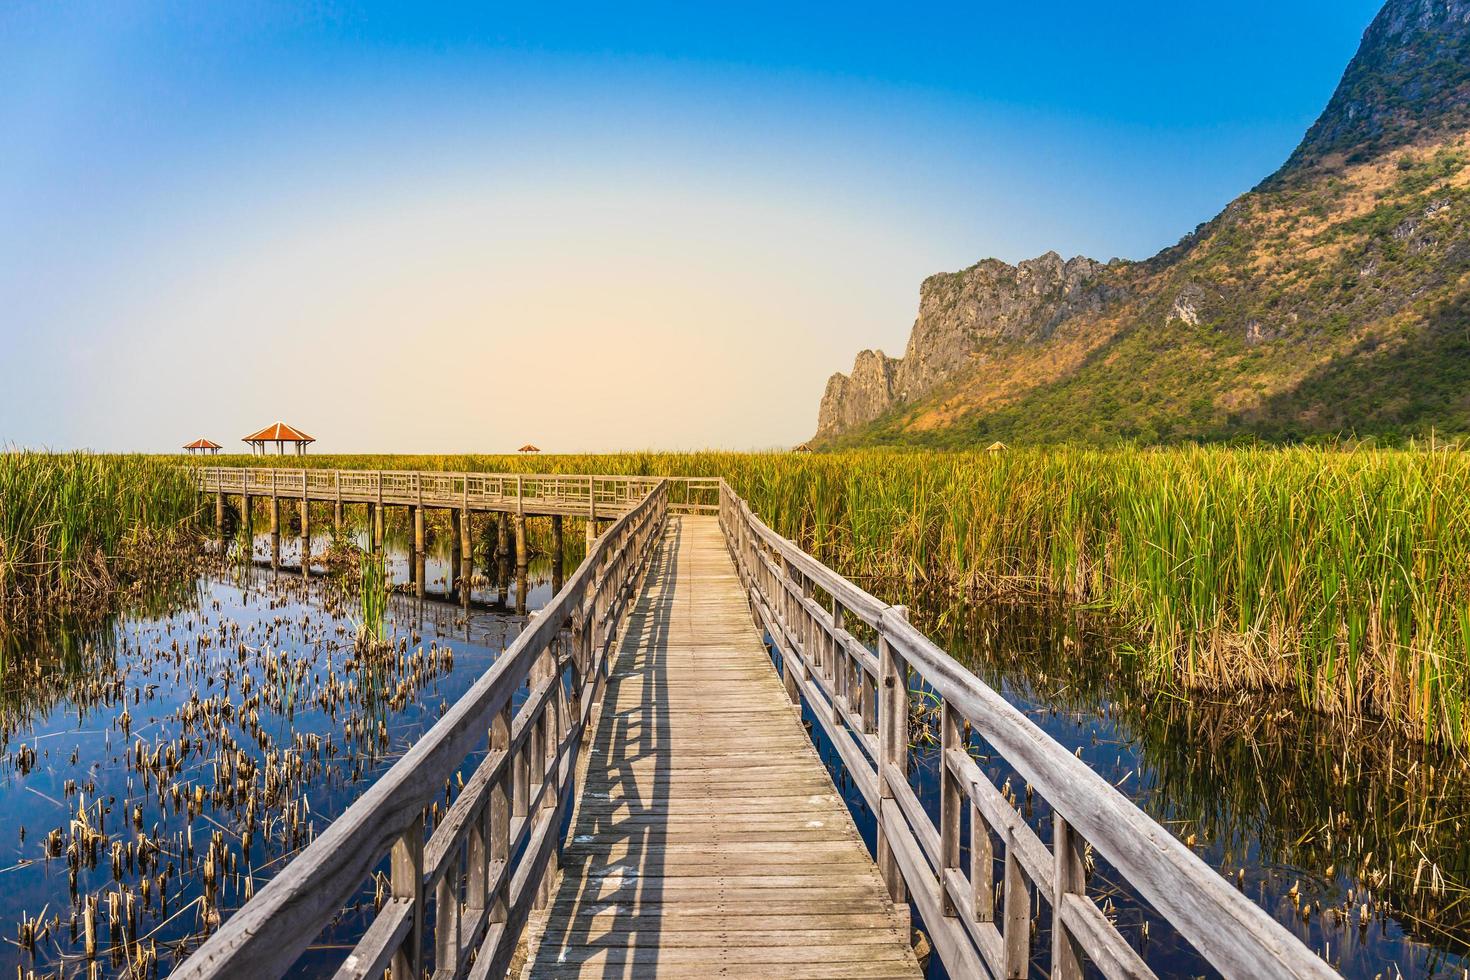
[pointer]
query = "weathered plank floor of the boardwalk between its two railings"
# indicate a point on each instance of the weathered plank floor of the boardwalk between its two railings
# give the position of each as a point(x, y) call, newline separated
point(708, 838)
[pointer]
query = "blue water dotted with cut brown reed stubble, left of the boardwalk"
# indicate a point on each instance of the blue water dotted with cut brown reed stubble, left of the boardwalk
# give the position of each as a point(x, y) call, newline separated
point(159, 768)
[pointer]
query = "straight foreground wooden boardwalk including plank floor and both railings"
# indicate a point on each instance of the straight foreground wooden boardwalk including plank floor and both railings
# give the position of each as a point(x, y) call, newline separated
point(649, 803)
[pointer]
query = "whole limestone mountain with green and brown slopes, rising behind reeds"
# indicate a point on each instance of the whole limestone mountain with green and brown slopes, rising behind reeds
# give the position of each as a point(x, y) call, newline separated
point(1333, 299)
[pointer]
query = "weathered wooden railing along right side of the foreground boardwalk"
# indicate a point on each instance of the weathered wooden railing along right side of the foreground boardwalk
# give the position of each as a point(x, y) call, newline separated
point(862, 700)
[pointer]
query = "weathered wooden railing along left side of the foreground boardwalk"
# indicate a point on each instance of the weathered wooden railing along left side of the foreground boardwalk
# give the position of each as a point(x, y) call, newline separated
point(493, 854)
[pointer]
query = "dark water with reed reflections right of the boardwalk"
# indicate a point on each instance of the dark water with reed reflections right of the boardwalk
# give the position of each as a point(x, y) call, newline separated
point(1359, 843)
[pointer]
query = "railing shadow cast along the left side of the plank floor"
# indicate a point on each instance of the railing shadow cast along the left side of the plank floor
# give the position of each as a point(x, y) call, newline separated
point(608, 904)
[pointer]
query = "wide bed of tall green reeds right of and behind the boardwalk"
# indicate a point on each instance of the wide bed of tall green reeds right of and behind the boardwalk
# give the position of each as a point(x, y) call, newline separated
point(1341, 575)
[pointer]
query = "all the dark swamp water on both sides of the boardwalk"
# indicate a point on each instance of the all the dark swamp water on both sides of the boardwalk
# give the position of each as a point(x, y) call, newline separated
point(159, 769)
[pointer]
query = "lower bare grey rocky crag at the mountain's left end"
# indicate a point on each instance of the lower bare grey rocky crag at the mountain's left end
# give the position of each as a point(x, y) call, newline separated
point(964, 318)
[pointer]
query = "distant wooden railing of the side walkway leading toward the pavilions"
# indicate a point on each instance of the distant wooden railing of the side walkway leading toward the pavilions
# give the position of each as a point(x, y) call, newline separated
point(602, 497)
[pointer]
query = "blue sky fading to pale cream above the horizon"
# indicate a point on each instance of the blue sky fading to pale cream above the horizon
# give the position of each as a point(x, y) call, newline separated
point(218, 215)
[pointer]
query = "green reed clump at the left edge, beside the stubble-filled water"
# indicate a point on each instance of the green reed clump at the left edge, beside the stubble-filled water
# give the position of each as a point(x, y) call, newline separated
point(76, 527)
